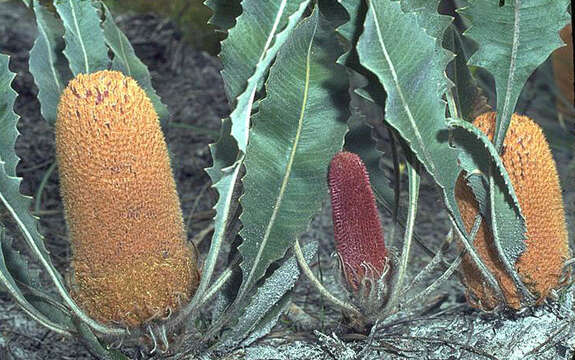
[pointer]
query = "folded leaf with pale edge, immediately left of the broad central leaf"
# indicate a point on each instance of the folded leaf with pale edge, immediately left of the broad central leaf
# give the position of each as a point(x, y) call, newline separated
point(225, 171)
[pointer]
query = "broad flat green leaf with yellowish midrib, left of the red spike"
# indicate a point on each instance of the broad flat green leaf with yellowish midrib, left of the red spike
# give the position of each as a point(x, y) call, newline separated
point(299, 127)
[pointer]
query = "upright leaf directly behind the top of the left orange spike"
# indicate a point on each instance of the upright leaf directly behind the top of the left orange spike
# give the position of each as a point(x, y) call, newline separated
point(85, 49)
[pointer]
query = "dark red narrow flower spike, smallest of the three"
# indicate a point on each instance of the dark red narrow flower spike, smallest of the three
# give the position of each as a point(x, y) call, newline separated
point(357, 226)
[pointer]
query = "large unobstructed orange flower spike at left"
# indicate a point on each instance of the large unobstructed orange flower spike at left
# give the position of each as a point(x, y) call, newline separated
point(131, 263)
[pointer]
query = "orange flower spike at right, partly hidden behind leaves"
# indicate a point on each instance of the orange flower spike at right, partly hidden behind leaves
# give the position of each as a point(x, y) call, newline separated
point(529, 163)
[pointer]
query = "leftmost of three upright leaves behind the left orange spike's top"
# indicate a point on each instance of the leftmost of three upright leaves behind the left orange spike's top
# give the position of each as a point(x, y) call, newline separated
point(46, 61)
